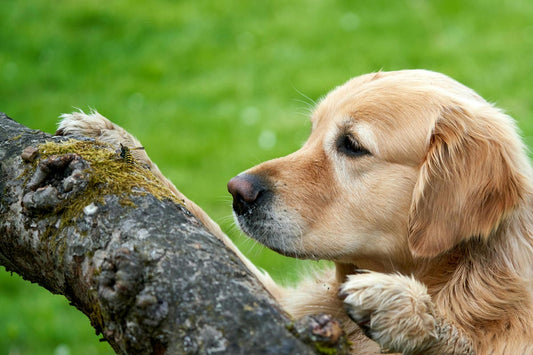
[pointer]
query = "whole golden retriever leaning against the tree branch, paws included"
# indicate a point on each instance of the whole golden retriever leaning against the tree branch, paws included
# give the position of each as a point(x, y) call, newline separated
point(419, 191)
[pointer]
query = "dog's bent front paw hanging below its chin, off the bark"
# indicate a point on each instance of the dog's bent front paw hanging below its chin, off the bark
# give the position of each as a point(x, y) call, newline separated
point(393, 310)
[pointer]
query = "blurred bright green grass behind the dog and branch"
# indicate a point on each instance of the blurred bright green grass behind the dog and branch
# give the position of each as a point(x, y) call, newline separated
point(214, 87)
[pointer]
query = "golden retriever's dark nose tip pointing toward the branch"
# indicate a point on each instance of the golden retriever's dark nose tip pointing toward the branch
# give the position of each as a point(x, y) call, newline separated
point(246, 190)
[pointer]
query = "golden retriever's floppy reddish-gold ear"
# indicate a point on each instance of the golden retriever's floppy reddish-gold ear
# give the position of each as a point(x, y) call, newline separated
point(469, 180)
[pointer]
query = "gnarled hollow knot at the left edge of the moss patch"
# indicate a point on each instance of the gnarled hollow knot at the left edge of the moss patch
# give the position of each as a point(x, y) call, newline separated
point(56, 178)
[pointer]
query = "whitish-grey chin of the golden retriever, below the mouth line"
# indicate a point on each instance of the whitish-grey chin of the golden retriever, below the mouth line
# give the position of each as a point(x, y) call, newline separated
point(274, 234)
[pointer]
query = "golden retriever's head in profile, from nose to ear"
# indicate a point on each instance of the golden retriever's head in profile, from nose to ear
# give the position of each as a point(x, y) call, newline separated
point(398, 164)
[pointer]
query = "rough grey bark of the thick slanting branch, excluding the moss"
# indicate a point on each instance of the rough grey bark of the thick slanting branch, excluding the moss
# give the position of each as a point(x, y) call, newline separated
point(147, 273)
